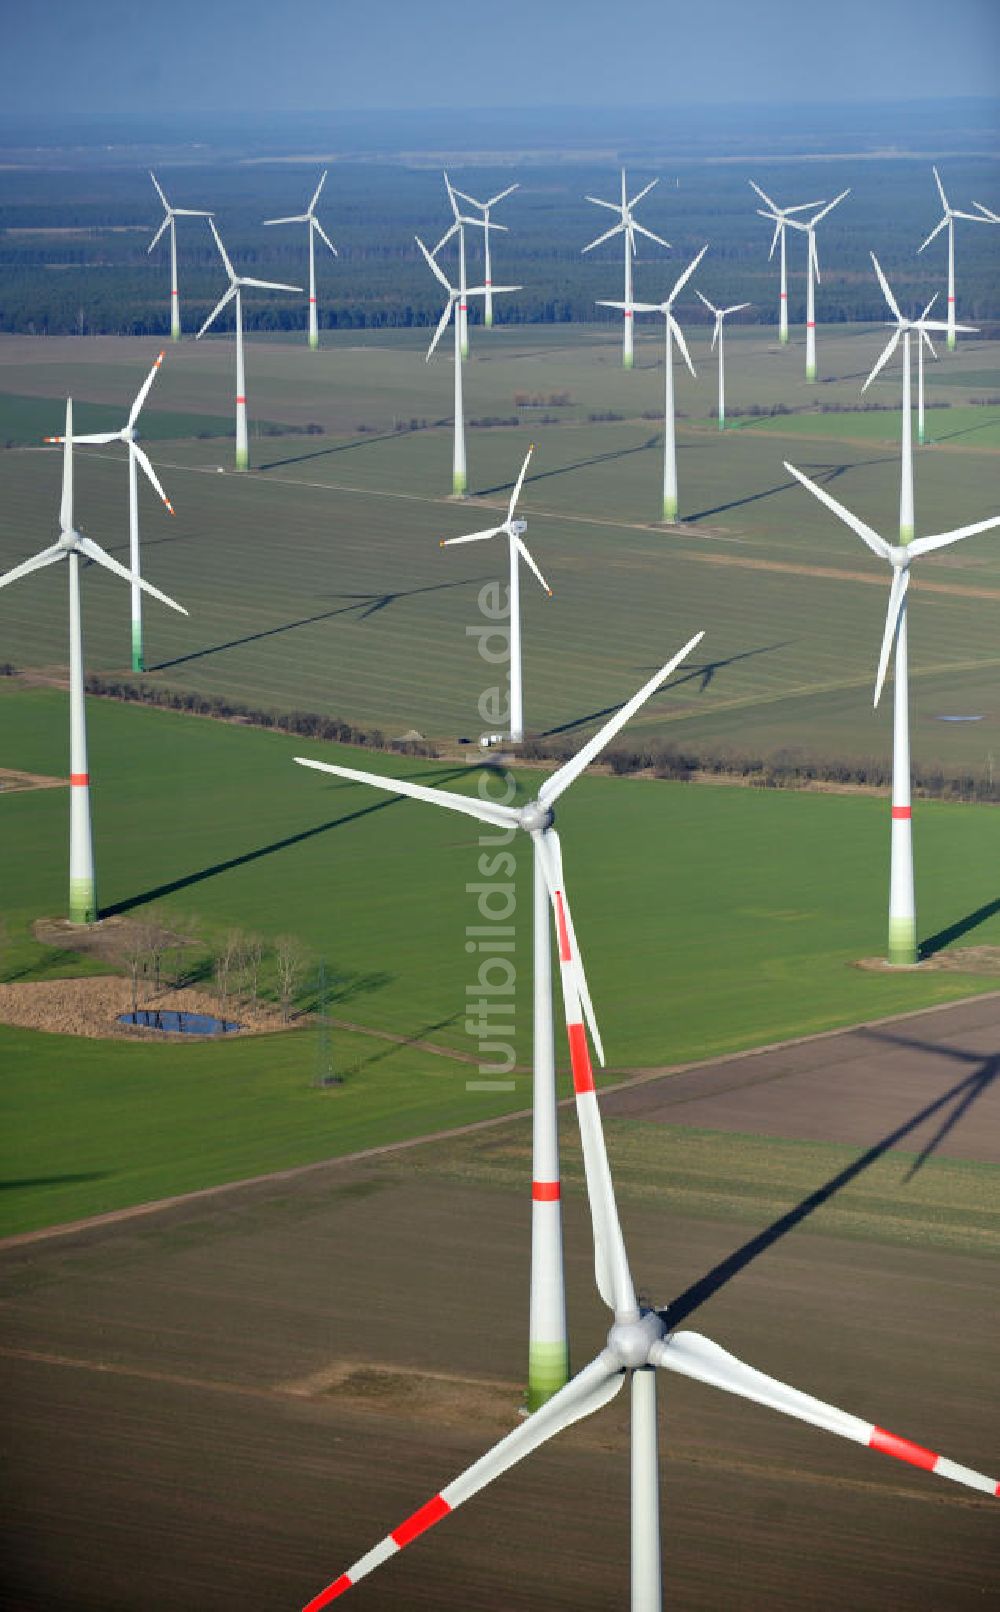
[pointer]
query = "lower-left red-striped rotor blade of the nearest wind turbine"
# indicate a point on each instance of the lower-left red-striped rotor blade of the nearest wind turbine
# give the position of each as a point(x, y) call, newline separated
point(586, 1394)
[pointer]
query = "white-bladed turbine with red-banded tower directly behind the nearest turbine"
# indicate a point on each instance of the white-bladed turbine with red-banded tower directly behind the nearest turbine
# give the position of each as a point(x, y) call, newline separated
point(548, 1353)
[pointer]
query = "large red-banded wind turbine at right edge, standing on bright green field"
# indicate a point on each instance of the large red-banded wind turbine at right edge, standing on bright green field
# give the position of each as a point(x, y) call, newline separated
point(902, 905)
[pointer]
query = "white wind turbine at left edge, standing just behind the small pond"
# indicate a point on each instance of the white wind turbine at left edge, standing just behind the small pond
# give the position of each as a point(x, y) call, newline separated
point(73, 546)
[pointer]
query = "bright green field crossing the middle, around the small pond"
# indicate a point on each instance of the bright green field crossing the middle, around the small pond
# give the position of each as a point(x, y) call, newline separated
point(740, 915)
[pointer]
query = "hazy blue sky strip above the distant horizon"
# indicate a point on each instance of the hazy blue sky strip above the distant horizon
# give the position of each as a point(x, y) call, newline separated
point(314, 56)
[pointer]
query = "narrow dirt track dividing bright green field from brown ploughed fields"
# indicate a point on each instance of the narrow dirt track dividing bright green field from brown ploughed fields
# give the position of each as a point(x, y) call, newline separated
point(635, 1078)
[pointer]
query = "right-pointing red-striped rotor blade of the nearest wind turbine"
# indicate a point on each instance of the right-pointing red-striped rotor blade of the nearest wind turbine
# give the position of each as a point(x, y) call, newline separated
point(691, 1355)
